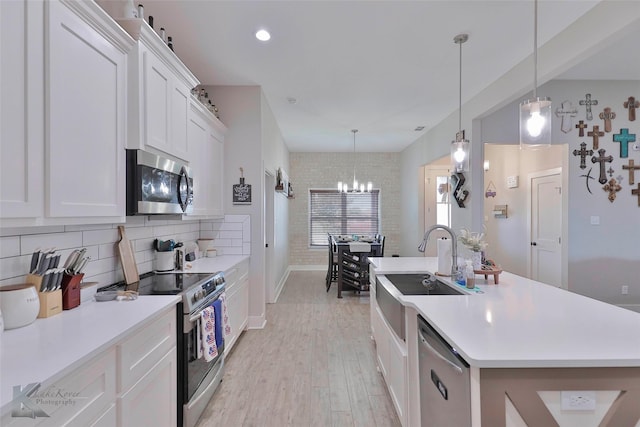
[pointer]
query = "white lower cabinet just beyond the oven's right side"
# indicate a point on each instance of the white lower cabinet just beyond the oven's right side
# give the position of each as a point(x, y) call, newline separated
point(237, 292)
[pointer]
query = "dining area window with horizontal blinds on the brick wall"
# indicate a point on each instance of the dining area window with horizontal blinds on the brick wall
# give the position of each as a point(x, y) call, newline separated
point(333, 212)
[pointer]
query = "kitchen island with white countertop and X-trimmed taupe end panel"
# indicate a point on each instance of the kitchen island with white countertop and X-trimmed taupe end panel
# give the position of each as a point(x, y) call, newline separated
point(542, 337)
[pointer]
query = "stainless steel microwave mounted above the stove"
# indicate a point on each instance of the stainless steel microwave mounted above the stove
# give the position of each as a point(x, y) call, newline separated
point(157, 185)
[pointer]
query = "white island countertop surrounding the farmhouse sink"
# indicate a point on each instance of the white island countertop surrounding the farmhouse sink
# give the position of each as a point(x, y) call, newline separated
point(523, 323)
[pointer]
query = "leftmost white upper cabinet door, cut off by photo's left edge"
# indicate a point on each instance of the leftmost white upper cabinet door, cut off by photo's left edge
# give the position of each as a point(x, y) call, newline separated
point(21, 109)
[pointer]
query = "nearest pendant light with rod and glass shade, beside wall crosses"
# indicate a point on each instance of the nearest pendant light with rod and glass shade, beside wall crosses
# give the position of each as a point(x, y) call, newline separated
point(535, 113)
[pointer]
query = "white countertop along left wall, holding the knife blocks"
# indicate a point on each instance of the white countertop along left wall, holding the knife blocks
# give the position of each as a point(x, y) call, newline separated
point(50, 348)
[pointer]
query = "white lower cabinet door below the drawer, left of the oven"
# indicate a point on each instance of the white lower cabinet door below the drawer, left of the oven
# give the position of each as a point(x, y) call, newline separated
point(152, 400)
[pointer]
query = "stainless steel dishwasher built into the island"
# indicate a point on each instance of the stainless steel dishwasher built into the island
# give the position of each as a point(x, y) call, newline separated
point(445, 388)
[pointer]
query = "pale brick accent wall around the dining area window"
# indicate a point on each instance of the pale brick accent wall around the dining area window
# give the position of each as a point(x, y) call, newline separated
point(324, 170)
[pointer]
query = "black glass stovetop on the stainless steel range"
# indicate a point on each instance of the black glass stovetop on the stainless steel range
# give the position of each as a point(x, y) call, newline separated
point(160, 284)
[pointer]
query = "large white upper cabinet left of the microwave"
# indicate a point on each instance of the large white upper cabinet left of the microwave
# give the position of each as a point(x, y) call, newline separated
point(63, 133)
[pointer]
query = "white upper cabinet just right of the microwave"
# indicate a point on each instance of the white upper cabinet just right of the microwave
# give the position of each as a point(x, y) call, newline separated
point(205, 141)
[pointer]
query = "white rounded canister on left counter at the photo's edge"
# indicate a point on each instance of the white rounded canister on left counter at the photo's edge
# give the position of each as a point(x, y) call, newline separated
point(19, 305)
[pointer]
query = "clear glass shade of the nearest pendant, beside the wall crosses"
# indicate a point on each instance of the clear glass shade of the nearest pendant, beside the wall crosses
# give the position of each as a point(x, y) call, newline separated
point(535, 123)
